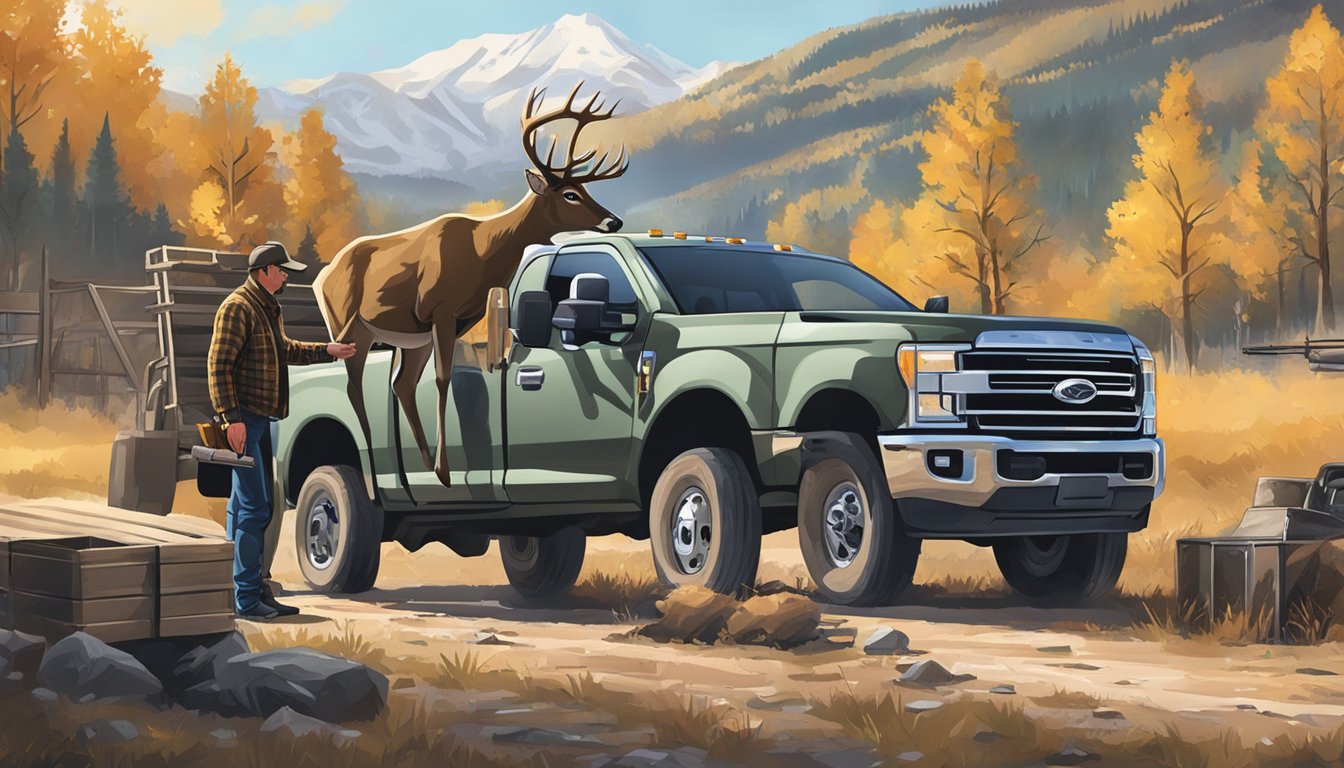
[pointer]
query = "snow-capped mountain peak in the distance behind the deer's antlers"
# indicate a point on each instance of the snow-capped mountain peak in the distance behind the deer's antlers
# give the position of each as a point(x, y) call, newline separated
point(458, 110)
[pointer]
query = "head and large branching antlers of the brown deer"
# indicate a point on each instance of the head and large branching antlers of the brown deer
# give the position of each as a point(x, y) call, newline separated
point(562, 186)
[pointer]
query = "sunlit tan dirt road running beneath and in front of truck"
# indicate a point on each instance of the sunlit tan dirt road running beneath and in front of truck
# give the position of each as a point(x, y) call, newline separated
point(1081, 673)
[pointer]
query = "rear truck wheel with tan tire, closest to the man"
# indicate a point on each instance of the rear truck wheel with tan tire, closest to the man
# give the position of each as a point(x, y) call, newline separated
point(338, 532)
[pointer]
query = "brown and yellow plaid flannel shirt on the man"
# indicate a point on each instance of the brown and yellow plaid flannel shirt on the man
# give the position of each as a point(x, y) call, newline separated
point(245, 356)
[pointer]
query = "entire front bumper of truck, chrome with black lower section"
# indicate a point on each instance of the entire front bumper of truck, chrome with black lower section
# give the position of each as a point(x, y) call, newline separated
point(970, 486)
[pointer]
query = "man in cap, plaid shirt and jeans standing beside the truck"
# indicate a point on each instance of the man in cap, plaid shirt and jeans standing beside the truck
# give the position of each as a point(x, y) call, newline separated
point(249, 388)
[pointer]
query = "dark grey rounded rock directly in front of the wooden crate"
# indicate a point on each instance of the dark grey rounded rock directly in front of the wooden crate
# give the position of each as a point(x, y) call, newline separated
point(83, 665)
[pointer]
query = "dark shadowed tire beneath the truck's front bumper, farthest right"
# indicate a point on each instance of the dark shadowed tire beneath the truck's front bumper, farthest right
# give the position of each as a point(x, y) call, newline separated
point(1062, 570)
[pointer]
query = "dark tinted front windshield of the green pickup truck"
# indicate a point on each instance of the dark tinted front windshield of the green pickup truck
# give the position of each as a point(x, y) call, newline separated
point(713, 279)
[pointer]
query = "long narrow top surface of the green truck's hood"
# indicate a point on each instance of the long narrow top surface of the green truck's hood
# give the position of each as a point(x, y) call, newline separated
point(937, 328)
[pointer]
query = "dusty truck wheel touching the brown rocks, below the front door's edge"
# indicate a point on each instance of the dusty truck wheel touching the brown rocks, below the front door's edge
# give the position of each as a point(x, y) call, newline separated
point(712, 486)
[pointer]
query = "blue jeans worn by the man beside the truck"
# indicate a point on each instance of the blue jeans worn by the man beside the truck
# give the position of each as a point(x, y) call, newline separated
point(249, 513)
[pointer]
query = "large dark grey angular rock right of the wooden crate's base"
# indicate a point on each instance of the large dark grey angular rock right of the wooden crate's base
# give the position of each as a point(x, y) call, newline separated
point(307, 681)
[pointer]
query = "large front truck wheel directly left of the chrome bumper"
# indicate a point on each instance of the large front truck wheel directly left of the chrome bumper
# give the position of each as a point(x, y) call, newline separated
point(873, 562)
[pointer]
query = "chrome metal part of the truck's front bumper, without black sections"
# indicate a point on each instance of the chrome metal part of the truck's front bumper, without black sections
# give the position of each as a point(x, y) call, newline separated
point(904, 459)
